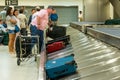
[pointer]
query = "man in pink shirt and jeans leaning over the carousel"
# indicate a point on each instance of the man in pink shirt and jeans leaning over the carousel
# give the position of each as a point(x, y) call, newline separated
point(39, 24)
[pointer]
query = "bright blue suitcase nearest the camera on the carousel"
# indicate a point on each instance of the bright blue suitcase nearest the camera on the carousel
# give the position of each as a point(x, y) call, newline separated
point(61, 67)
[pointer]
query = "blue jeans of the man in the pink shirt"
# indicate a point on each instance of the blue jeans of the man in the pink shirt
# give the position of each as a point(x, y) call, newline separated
point(40, 33)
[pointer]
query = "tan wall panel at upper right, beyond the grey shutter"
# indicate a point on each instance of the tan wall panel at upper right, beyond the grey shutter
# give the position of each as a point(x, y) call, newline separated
point(96, 10)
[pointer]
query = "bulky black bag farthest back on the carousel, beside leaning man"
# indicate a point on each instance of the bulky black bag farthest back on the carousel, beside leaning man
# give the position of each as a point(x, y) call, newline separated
point(56, 31)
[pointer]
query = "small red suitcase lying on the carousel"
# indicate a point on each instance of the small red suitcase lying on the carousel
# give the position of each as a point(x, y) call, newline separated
point(55, 46)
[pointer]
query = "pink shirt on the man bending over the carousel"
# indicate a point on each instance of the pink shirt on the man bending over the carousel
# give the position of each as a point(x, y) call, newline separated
point(43, 14)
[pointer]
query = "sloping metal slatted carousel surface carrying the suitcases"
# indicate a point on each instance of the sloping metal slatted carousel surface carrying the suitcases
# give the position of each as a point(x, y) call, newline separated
point(96, 60)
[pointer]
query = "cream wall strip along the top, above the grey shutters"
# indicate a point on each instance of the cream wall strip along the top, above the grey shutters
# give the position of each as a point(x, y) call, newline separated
point(45, 3)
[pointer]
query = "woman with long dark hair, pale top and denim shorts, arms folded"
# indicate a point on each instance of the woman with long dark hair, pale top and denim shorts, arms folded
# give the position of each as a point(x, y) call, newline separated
point(11, 22)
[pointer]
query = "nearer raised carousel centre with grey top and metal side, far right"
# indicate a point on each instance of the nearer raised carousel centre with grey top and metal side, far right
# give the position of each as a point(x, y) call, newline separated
point(108, 35)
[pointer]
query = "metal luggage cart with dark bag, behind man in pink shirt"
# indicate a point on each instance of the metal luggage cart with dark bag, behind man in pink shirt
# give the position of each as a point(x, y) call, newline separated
point(25, 48)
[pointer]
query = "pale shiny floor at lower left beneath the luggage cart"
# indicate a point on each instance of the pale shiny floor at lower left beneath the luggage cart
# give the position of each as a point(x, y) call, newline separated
point(9, 70)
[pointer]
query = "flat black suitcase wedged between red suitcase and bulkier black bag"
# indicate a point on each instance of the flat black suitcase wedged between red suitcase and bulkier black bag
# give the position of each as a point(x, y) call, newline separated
point(65, 39)
